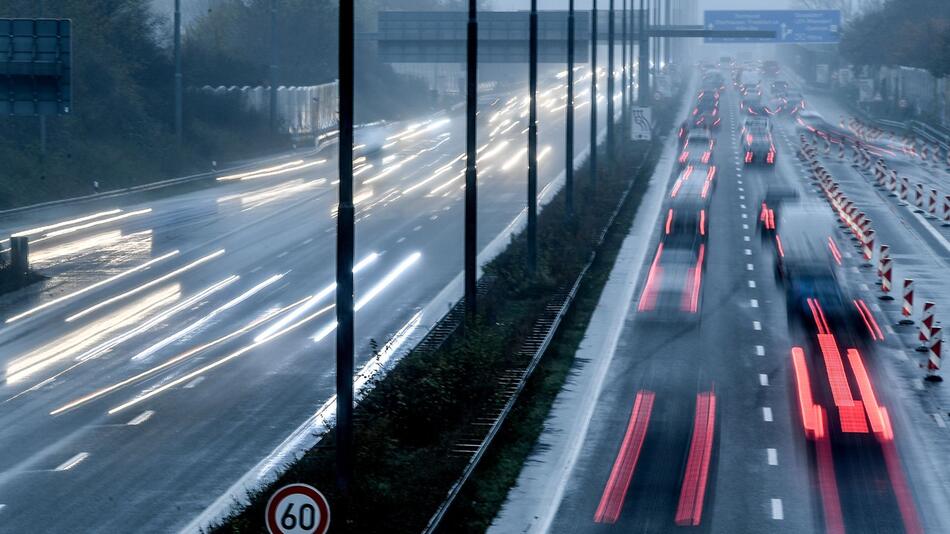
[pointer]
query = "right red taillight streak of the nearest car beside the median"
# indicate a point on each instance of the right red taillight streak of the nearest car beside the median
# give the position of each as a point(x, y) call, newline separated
point(689, 511)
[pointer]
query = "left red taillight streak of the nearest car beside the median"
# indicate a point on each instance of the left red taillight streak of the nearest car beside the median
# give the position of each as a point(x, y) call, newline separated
point(615, 492)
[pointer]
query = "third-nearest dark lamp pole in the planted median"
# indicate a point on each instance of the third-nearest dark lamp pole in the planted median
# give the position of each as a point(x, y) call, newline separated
point(533, 139)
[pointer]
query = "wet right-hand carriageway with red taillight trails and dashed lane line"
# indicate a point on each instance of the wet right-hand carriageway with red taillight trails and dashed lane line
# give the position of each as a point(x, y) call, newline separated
point(699, 421)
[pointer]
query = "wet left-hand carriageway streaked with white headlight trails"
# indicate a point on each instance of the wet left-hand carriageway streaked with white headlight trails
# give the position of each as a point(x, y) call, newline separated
point(182, 338)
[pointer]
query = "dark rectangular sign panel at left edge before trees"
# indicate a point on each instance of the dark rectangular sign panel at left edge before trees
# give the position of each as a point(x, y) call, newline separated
point(35, 65)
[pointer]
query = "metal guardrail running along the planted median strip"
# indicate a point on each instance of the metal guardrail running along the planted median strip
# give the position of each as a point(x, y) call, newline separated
point(542, 333)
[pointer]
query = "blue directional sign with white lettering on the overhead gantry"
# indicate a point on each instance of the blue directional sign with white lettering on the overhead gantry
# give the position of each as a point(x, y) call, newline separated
point(790, 26)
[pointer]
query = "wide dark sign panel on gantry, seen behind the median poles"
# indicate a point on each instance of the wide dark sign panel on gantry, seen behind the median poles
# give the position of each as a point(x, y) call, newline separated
point(440, 36)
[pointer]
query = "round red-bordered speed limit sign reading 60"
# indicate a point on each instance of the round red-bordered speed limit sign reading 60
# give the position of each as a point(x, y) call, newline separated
point(297, 509)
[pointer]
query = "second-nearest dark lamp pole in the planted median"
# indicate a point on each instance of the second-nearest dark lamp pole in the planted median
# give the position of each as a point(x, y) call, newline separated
point(471, 173)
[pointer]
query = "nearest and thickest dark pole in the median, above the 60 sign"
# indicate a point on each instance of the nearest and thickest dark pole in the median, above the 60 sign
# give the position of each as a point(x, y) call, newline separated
point(344, 260)
